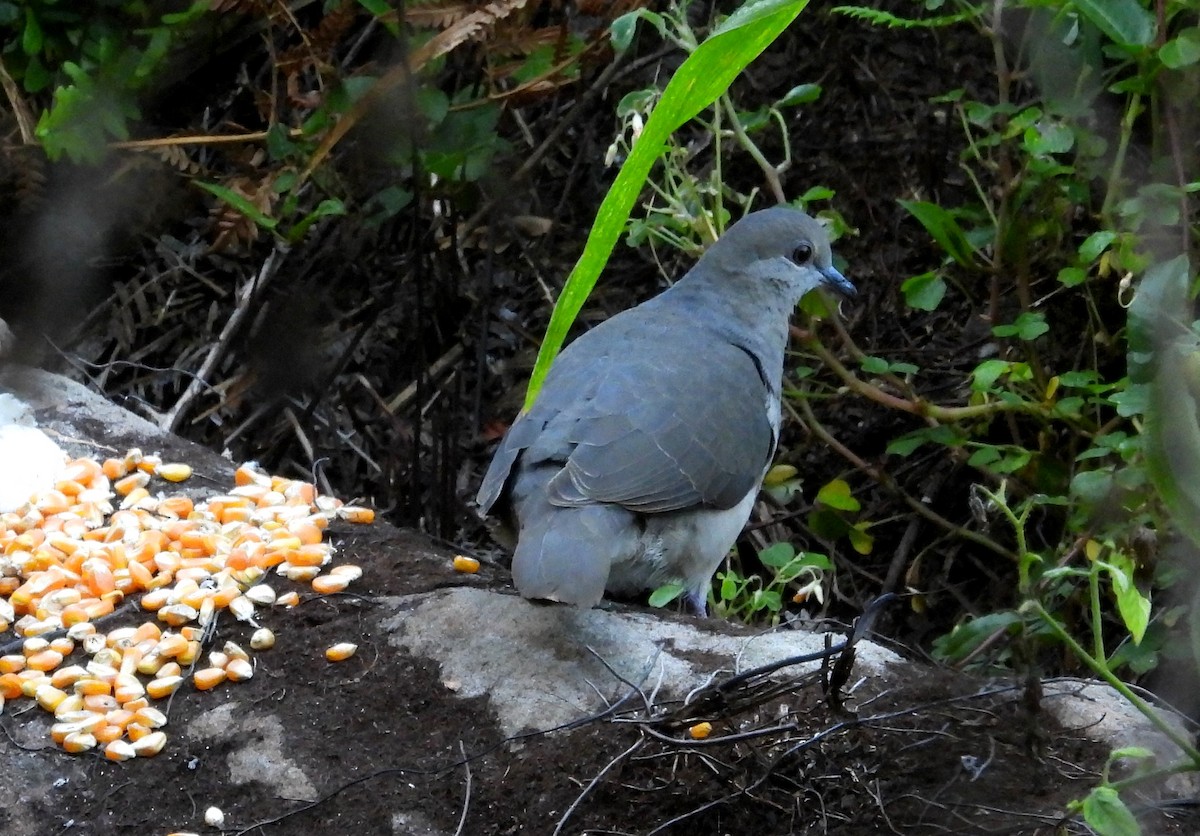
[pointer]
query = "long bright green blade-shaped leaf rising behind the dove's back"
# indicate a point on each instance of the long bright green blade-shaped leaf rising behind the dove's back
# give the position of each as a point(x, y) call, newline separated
point(697, 85)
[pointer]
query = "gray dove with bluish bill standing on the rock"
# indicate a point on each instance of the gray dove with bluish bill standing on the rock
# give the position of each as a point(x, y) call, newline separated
point(645, 450)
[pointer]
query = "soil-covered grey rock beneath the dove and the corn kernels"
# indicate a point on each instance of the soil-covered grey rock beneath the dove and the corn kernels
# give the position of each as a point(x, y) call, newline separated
point(471, 711)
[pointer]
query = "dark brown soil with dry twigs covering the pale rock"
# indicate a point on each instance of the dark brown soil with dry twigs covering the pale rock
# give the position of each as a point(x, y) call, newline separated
point(397, 751)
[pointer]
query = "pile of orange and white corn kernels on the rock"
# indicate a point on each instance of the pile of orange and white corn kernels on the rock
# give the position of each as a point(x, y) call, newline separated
point(100, 539)
